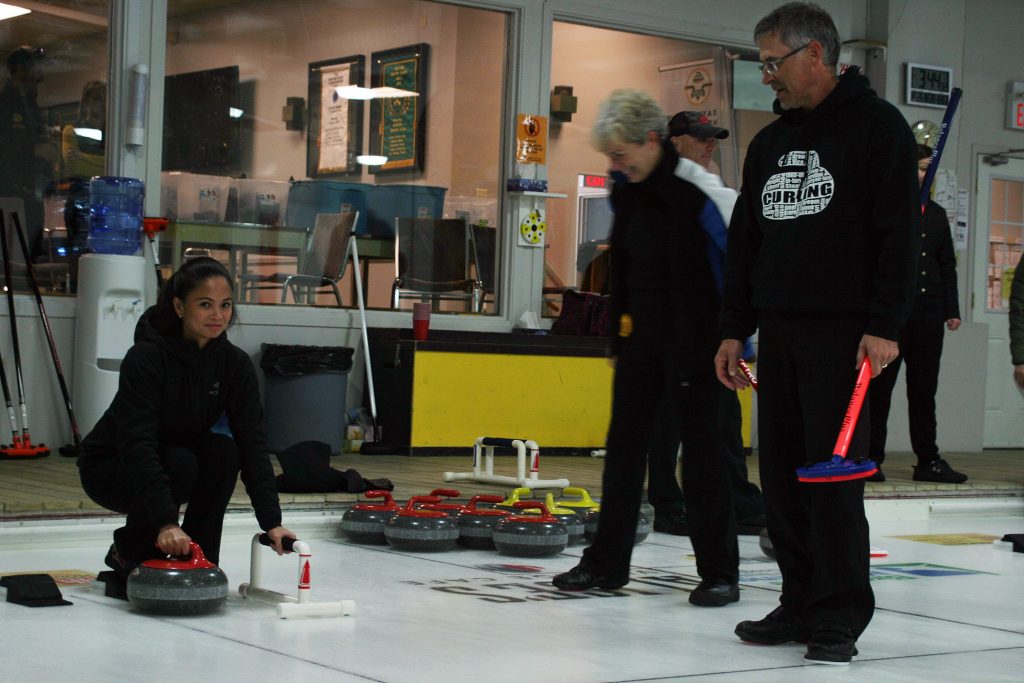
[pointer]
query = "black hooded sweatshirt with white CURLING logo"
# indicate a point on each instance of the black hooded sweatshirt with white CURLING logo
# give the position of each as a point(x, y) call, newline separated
point(828, 219)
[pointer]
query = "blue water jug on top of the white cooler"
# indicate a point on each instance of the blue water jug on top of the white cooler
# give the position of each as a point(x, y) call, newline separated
point(116, 216)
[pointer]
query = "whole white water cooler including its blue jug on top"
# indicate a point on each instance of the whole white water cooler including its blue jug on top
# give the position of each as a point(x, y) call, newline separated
point(111, 294)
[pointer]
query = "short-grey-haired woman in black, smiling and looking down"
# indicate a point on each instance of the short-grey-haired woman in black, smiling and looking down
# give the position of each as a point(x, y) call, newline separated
point(663, 280)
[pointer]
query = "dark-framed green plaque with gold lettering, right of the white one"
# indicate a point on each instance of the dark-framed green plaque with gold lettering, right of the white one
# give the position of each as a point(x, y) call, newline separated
point(398, 125)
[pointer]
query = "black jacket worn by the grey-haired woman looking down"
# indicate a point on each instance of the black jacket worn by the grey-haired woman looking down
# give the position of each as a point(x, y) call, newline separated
point(660, 271)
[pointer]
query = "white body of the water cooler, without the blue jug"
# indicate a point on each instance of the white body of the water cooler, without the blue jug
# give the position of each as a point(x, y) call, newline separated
point(111, 301)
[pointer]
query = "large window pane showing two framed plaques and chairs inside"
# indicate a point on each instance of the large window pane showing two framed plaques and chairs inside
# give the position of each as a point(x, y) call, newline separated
point(268, 126)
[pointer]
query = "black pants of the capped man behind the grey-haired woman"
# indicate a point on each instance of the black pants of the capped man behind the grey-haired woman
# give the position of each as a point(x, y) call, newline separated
point(664, 492)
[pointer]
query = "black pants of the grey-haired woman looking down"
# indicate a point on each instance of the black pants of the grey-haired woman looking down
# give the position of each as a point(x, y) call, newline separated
point(642, 383)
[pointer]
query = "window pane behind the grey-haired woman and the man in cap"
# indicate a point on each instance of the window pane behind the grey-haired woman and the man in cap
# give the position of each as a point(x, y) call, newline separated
point(682, 76)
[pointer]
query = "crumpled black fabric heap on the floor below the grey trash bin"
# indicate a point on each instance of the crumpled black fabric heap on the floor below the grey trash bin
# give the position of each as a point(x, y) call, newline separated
point(308, 471)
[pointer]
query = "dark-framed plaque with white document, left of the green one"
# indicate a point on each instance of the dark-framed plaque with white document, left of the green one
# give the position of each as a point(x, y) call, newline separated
point(335, 123)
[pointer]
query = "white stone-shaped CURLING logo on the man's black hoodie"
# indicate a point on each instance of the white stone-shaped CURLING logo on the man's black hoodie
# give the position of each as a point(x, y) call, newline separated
point(790, 195)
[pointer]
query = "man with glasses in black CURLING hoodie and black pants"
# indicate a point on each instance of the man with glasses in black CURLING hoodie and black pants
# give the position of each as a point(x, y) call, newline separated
point(821, 262)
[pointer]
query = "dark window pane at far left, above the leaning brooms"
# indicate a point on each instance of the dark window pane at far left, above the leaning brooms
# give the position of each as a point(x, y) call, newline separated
point(53, 130)
